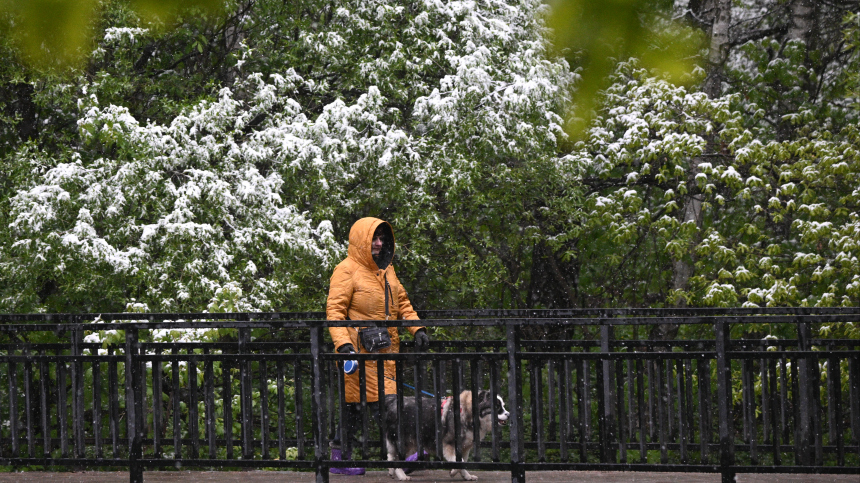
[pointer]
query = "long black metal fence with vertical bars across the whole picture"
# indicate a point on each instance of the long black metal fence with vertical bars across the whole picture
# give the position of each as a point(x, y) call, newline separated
point(606, 402)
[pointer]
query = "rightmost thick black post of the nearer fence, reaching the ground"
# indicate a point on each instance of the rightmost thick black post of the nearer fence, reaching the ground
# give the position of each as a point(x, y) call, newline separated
point(724, 401)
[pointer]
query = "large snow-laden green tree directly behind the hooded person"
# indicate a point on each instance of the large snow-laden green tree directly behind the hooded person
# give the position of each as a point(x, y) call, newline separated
point(204, 173)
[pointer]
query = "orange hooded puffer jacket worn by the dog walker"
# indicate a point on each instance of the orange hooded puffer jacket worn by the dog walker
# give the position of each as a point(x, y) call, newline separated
point(357, 292)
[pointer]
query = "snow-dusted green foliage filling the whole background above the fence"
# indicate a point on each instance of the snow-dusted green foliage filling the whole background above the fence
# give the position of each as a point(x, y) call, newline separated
point(216, 161)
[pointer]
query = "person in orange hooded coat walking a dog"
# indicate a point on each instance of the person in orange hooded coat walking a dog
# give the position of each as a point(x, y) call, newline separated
point(360, 287)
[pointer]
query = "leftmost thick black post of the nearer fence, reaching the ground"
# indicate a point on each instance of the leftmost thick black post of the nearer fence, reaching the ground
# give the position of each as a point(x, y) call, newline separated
point(134, 409)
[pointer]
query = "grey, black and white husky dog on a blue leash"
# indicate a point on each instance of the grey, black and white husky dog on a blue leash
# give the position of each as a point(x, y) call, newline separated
point(467, 437)
